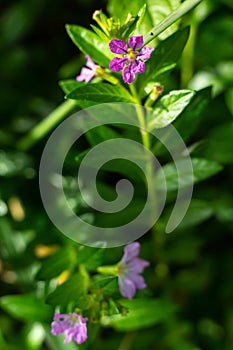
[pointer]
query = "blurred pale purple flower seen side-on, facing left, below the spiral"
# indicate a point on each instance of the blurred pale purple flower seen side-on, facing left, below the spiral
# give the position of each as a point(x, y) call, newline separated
point(129, 270)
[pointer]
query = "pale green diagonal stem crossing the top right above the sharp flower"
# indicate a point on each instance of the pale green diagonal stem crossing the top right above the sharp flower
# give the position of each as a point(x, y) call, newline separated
point(184, 8)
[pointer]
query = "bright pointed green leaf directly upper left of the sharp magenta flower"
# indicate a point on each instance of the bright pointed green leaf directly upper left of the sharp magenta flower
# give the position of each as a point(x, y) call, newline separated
point(90, 44)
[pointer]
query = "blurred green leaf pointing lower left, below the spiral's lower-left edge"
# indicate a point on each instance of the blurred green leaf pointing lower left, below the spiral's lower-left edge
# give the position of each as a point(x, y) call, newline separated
point(51, 267)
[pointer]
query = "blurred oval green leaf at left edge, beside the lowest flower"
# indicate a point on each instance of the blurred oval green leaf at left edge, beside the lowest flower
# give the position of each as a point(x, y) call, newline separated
point(26, 307)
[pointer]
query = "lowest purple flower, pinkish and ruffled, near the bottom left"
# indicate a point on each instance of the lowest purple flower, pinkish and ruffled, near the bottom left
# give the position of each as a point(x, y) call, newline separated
point(72, 324)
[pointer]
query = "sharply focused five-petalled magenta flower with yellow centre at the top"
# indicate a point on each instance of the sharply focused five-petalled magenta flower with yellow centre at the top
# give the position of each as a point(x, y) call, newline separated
point(132, 61)
